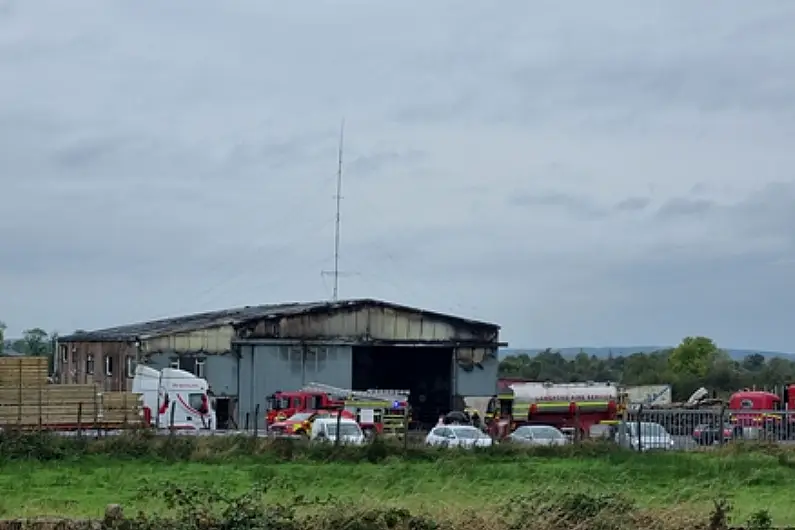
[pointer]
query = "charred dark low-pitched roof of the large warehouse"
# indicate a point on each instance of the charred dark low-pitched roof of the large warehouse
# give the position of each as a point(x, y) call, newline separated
point(242, 315)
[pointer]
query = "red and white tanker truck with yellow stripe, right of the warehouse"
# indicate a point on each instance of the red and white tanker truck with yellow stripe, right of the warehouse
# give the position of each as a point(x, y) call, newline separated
point(573, 408)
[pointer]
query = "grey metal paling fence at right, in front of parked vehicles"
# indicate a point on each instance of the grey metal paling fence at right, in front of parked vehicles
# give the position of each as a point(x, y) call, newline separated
point(684, 429)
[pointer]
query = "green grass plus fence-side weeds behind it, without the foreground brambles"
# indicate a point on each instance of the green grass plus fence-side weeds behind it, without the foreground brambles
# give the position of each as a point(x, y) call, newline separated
point(41, 476)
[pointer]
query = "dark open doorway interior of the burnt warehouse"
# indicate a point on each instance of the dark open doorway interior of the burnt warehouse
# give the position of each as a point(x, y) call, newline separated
point(426, 372)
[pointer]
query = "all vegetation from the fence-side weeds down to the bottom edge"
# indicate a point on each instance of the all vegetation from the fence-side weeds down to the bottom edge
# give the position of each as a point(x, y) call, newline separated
point(242, 482)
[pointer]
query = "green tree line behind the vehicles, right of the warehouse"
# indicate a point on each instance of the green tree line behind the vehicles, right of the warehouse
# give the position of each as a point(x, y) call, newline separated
point(694, 363)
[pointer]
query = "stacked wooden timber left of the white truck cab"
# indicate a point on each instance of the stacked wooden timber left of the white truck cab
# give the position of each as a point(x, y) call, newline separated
point(27, 401)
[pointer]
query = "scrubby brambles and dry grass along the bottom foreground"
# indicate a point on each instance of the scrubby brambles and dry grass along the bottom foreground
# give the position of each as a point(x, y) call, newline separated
point(211, 509)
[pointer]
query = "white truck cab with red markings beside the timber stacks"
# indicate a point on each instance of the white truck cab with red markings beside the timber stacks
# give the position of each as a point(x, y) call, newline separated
point(171, 393)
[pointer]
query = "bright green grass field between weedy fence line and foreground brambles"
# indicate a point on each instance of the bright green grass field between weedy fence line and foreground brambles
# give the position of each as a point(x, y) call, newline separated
point(656, 483)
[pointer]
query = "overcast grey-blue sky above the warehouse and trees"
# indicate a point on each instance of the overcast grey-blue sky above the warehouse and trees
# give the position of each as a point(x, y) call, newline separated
point(590, 173)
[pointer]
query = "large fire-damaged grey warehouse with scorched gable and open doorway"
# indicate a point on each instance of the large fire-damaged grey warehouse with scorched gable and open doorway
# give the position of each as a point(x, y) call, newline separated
point(248, 353)
